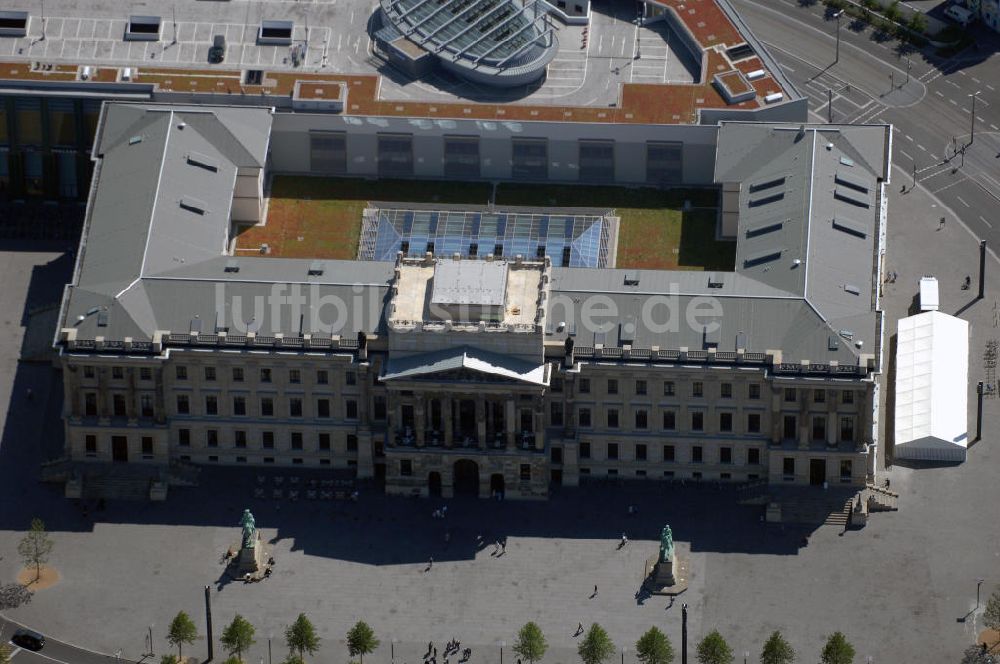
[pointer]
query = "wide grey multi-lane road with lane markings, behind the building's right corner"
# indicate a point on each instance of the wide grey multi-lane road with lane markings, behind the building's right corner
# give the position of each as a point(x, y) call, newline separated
point(928, 100)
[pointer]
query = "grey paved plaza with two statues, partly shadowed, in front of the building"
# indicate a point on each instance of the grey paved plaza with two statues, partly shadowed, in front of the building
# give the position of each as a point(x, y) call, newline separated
point(901, 589)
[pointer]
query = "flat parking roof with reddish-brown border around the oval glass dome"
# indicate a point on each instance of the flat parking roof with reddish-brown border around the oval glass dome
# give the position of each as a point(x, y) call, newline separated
point(336, 50)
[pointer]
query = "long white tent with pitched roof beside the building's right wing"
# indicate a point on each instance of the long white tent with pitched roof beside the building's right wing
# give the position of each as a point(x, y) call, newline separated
point(932, 374)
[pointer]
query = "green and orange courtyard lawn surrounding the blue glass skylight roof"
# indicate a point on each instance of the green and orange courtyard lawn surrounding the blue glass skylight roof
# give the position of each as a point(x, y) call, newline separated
point(311, 217)
